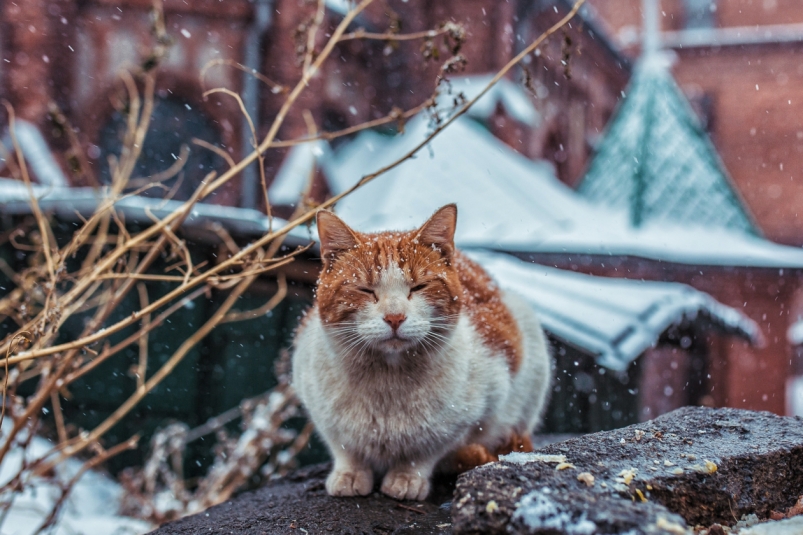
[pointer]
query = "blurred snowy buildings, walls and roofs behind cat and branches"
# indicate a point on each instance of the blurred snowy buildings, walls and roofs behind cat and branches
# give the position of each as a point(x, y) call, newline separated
point(637, 179)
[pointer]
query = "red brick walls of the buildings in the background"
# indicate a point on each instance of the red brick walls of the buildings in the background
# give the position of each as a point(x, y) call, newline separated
point(69, 52)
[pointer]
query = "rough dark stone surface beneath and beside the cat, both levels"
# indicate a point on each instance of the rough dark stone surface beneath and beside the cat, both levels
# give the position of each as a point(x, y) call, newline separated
point(694, 466)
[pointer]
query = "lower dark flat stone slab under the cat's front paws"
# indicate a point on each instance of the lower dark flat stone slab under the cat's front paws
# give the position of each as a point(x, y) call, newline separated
point(299, 504)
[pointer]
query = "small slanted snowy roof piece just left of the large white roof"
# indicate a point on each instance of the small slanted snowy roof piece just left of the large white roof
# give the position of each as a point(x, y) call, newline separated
point(293, 175)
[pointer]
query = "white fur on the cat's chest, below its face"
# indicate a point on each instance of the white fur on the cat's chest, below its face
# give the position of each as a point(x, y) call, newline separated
point(395, 417)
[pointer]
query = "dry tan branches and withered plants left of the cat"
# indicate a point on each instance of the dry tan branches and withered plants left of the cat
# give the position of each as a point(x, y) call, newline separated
point(52, 290)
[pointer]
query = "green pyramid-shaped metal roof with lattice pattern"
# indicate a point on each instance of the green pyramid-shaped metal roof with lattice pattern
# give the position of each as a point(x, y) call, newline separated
point(656, 161)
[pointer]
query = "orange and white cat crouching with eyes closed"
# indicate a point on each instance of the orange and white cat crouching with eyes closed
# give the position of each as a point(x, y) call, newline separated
point(411, 357)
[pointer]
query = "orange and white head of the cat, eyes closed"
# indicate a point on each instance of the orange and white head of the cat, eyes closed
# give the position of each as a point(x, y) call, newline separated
point(390, 292)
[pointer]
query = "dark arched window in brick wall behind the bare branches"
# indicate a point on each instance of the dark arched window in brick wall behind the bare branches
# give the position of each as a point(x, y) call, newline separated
point(174, 123)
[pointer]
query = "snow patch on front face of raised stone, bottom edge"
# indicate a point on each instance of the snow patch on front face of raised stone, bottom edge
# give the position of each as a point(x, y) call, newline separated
point(538, 511)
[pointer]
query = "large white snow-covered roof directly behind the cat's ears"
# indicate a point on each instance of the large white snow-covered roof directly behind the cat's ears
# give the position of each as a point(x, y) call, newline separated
point(510, 203)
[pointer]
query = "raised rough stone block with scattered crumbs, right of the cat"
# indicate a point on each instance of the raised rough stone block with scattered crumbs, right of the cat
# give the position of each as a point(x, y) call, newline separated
point(694, 466)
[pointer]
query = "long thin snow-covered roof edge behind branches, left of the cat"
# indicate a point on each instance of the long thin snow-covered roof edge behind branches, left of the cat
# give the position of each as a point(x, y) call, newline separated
point(67, 203)
